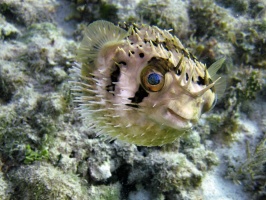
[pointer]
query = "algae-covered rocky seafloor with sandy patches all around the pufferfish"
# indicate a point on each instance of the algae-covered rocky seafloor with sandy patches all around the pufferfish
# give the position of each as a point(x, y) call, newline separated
point(48, 152)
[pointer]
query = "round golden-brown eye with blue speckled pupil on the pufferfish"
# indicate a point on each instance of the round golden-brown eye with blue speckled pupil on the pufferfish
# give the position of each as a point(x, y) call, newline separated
point(152, 80)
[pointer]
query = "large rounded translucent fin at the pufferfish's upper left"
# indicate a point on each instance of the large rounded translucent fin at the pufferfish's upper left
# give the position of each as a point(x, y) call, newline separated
point(97, 35)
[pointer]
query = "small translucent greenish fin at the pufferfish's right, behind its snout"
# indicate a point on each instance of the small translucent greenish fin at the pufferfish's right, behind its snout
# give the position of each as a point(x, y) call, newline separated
point(220, 86)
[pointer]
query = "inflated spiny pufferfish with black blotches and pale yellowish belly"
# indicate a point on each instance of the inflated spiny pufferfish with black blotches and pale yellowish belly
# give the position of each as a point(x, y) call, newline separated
point(140, 85)
